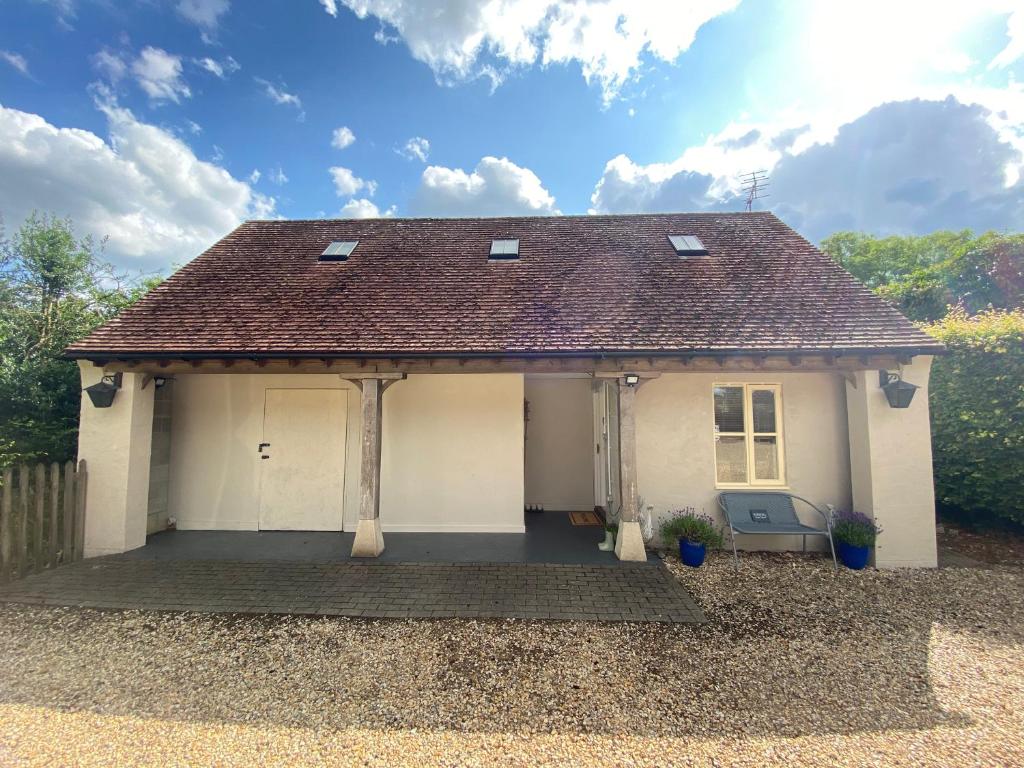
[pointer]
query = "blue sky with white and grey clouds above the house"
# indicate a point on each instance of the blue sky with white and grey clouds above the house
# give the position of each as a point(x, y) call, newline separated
point(161, 124)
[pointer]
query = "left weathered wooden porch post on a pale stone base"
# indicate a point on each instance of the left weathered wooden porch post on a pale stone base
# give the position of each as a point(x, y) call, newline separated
point(369, 539)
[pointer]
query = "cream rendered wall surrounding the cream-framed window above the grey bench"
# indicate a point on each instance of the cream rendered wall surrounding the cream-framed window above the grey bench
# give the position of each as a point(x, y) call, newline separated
point(676, 446)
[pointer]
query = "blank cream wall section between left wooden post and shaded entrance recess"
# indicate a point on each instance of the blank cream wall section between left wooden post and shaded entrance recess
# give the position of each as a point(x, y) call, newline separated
point(453, 454)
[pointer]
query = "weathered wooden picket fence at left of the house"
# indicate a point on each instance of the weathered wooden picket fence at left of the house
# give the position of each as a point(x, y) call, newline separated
point(42, 518)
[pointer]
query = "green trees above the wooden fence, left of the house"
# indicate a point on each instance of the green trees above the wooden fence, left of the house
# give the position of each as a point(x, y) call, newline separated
point(55, 289)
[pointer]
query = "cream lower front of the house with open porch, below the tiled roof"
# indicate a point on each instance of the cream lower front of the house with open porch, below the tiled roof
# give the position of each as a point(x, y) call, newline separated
point(436, 459)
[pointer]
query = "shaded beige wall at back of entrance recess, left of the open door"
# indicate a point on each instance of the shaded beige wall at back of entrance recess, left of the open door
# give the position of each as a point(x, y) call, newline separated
point(561, 443)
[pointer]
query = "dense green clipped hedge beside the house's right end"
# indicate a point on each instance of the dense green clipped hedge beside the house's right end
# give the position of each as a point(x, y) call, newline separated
point(977, 404)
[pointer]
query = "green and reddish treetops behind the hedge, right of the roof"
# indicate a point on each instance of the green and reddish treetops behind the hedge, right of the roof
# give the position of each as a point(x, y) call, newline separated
point(925, 276)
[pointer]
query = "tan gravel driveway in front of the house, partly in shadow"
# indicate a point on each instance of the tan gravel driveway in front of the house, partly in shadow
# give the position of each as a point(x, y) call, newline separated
point(795, 667)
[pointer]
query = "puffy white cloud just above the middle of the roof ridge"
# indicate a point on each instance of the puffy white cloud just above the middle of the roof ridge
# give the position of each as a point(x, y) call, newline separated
point(496, 188)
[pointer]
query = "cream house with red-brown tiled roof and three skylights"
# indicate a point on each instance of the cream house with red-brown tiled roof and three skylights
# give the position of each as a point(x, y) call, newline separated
point(440, 375)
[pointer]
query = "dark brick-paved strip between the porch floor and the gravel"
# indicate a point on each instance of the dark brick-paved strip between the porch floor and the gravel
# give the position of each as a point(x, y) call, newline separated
point(633, 592)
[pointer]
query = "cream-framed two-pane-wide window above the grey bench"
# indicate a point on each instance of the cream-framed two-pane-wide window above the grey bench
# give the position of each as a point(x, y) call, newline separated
point(749, 436)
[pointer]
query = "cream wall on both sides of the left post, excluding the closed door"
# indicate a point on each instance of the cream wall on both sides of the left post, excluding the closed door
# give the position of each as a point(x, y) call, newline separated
point(452, 458)
